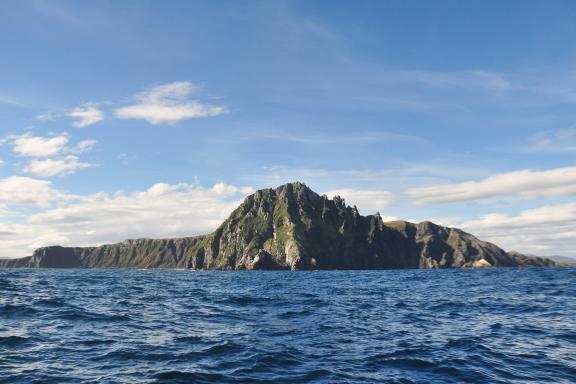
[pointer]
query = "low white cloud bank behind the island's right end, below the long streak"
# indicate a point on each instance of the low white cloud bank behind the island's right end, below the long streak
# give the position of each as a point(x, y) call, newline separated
point(546, 231)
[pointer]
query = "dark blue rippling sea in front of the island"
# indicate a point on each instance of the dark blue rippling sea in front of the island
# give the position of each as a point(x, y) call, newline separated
point(396, 326)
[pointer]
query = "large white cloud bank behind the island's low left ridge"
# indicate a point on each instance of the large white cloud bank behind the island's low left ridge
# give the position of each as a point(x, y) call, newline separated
point(163, 210)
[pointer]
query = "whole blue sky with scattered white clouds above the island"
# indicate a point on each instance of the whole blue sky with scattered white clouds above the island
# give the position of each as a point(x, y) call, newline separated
point(131, 119)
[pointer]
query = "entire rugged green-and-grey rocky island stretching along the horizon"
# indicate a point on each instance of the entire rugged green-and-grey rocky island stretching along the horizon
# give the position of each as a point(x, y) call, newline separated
point(293, 228)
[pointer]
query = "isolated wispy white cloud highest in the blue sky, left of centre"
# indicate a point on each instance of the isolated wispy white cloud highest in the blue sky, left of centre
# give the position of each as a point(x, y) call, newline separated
point(168, 103)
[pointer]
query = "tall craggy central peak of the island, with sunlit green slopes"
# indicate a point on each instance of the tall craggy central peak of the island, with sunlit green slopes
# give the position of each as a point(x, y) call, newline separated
point(292, 227)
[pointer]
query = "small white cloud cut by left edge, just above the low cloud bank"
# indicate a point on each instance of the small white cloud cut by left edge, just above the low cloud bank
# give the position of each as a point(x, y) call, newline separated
point(18, 190)
